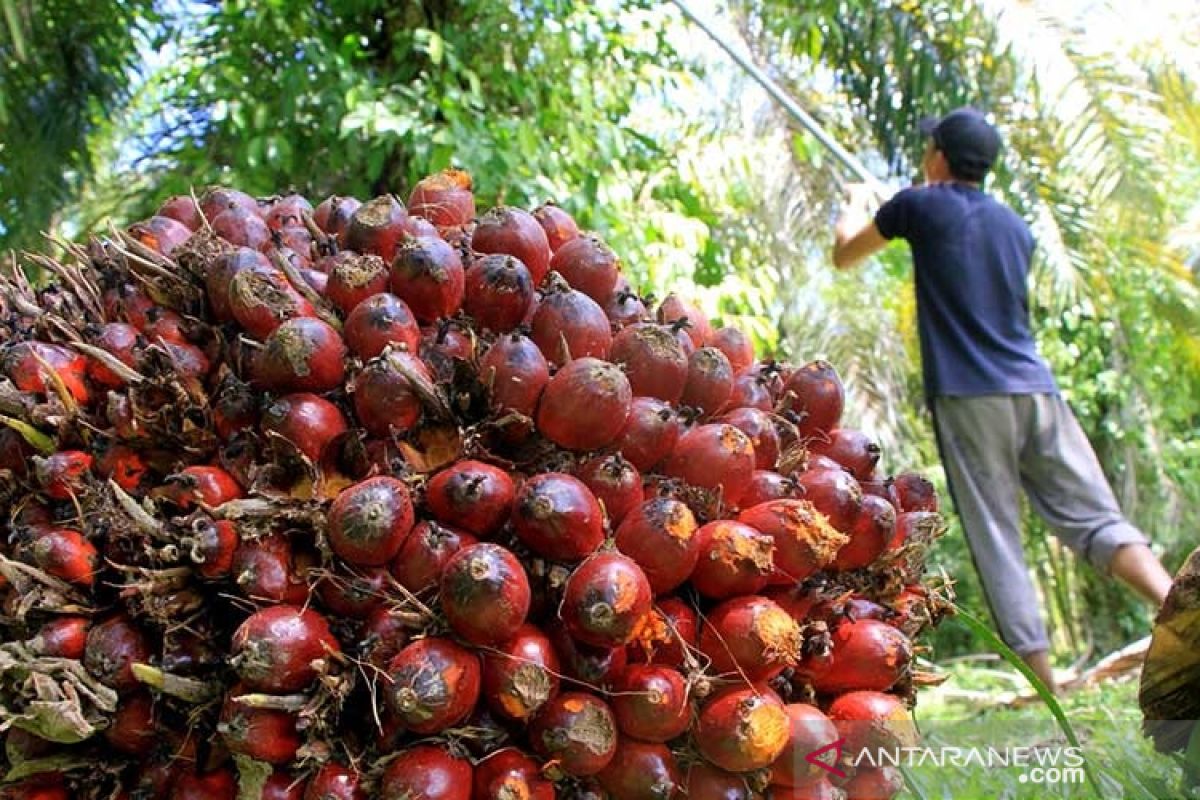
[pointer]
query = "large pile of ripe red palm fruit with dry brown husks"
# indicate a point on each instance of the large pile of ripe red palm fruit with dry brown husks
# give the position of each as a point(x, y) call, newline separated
point(401, 503)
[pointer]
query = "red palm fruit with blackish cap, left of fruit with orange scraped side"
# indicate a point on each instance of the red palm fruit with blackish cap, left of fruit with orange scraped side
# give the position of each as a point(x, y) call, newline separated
point(485, 594)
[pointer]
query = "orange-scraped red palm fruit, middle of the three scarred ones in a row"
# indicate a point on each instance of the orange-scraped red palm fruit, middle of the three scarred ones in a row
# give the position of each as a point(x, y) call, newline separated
point(735, 560)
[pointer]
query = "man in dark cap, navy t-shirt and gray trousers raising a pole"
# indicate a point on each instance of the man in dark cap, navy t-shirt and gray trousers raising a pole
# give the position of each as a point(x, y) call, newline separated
point(1000, 420)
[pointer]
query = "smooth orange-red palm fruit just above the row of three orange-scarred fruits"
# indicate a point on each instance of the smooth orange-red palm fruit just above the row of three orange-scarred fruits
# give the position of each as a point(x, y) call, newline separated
point(717, 458)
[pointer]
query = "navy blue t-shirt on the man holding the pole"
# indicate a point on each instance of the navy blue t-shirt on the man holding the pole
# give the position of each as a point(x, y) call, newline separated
point(971, 258)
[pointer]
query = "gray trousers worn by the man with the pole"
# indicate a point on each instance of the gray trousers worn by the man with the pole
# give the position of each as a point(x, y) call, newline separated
point(995, 446)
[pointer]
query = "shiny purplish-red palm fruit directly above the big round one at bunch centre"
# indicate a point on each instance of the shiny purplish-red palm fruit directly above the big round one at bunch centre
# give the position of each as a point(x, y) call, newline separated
point(569, 324)
